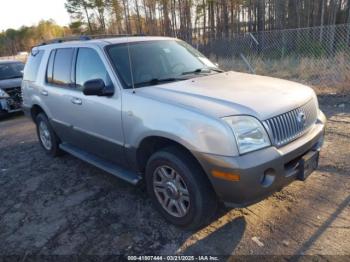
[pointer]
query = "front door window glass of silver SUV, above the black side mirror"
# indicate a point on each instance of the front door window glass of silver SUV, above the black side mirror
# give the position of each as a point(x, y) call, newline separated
point(89, 66)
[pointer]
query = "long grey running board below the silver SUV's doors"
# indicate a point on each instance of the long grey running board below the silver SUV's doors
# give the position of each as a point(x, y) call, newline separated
point(107, 166)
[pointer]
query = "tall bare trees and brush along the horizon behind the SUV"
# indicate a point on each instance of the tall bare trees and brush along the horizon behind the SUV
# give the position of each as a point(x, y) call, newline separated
point(187, 19)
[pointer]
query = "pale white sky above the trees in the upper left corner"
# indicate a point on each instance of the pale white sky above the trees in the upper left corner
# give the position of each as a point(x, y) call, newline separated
point(15, 13)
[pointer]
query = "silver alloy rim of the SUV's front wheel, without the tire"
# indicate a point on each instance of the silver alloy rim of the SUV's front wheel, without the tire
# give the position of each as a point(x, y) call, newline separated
point(171, 191)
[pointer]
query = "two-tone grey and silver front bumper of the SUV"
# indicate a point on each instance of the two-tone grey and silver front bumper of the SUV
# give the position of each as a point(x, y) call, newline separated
point(252, 168)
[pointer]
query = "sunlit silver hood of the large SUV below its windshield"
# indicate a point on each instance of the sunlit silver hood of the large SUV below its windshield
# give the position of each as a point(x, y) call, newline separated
point(233, 93)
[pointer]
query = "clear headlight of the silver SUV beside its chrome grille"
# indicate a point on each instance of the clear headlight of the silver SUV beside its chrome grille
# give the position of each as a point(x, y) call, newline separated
point(250, 134)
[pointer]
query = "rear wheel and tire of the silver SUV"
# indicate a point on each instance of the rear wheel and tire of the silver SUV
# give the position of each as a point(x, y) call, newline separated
point(51, 144)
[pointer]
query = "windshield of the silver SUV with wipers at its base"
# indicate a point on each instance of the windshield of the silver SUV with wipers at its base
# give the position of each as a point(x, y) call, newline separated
point(155, 62)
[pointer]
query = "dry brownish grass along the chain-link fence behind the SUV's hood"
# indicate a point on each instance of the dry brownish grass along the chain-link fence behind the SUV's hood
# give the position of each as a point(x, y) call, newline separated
point(326, 74)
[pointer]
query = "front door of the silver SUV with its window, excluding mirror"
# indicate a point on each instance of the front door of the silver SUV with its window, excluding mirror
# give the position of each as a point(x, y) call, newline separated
point(96, 120)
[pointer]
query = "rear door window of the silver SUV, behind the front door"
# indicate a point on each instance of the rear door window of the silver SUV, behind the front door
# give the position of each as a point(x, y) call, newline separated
point(60, 72)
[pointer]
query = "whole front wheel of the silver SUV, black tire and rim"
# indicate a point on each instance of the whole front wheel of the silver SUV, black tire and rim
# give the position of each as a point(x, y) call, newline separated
point(198, 204)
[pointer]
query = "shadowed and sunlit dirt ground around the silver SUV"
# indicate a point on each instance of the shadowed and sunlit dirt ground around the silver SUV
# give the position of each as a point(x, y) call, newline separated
point(65, 206)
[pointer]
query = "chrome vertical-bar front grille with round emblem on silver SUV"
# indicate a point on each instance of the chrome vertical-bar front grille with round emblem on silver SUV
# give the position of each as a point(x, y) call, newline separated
point(293, 124)
